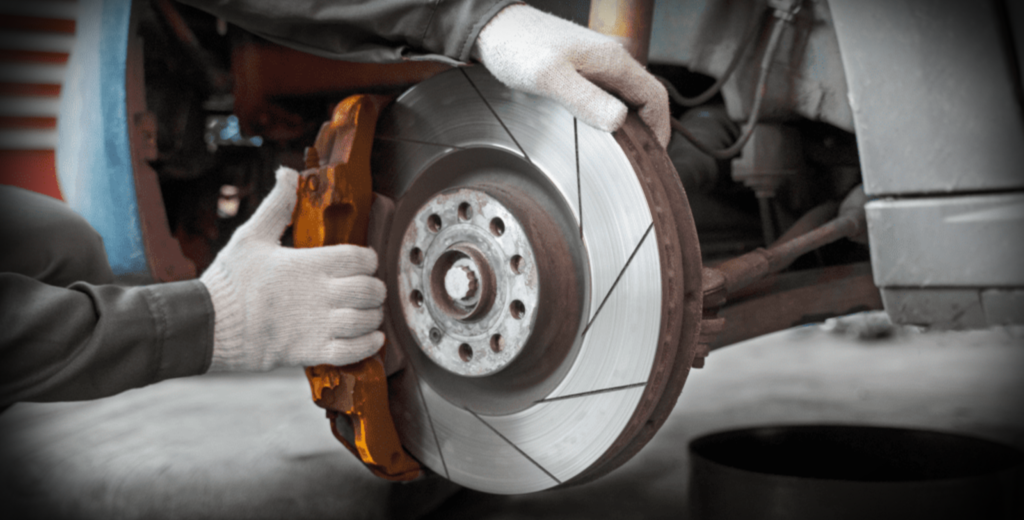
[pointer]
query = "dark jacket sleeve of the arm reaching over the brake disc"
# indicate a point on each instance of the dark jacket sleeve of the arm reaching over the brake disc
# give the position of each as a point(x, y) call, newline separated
point(364, 31)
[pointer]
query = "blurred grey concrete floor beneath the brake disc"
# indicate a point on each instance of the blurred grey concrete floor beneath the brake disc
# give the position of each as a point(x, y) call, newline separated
point(254, 447)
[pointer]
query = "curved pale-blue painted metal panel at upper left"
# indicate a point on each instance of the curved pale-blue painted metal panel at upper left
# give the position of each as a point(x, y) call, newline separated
point(94, 155)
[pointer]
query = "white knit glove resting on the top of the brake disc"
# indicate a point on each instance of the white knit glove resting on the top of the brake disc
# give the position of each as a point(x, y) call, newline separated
point(540, 54)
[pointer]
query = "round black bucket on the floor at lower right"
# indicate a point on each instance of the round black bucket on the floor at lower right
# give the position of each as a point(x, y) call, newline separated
point(852, 472)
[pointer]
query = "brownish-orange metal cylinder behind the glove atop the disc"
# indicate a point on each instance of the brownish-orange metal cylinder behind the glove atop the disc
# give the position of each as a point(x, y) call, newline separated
point(628, 22)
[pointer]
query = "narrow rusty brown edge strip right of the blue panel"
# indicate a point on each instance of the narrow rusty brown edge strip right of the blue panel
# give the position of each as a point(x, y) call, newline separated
point(163, 253)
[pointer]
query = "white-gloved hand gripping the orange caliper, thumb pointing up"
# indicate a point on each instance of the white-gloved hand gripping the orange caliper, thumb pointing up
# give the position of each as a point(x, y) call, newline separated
point(279, 307)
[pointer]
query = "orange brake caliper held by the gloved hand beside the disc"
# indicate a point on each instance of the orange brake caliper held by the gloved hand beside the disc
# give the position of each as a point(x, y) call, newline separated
point(335, 201)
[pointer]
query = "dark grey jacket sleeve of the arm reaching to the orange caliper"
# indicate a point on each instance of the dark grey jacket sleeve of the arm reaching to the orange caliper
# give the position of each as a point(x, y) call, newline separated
point(88, 341)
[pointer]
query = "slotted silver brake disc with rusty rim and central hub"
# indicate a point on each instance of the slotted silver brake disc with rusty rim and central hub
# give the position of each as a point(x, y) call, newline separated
point(544, 285)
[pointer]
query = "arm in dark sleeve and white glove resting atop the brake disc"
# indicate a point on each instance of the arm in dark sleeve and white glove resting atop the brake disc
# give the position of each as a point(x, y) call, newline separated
point(524, 48)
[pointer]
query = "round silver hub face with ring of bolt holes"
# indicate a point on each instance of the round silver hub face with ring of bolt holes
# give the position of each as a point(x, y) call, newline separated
point(471, 283)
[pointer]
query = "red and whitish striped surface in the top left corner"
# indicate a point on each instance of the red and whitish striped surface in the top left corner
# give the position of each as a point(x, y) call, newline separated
point(36, 38)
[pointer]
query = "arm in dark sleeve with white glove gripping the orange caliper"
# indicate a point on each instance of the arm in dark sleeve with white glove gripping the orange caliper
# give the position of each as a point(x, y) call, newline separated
point(258, 308)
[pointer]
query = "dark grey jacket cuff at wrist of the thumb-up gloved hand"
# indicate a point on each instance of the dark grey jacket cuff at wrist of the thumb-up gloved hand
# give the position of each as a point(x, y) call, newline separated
point(184, 318)
